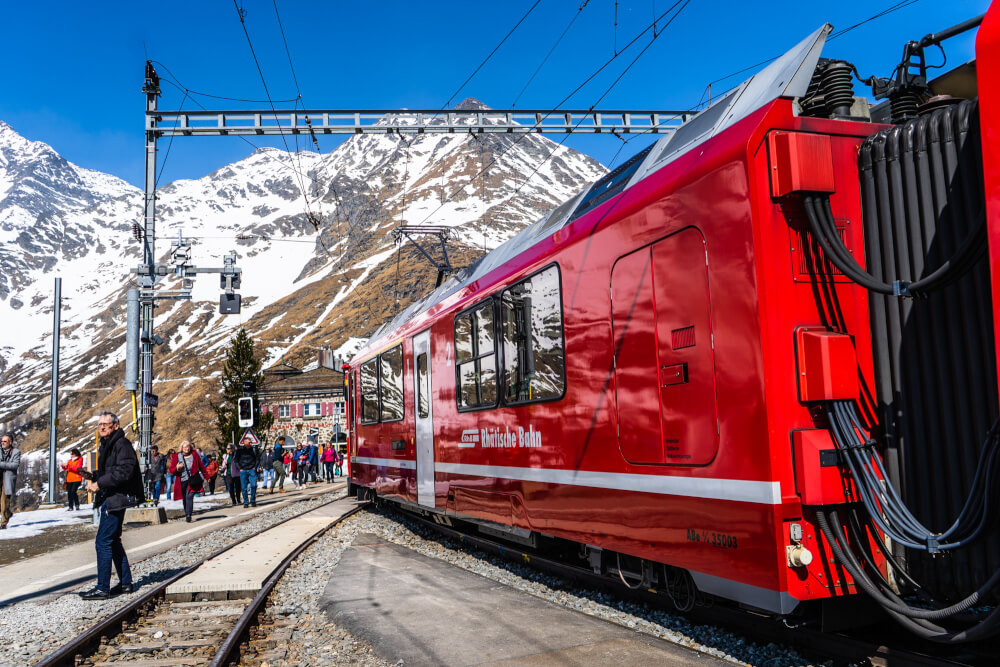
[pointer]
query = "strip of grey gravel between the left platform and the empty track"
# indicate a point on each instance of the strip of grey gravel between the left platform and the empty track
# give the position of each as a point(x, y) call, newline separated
point(29, 630)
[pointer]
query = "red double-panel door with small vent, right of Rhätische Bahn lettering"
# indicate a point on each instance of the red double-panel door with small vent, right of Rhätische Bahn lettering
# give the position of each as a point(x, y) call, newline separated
point(664, 353)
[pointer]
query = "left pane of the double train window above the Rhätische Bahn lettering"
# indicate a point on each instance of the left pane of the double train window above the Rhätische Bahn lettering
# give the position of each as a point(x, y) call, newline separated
point(476, 357)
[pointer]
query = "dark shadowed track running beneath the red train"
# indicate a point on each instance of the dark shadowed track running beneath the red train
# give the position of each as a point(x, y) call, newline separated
point(884, 645)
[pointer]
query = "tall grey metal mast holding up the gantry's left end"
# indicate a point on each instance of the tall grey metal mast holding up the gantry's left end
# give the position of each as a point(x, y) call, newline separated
point(147, 274)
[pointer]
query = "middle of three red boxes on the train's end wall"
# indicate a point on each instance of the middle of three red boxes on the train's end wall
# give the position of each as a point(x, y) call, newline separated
point(827, 365)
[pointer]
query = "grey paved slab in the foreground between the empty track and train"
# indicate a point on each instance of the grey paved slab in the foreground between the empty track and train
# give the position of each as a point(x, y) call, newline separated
point(418, 610)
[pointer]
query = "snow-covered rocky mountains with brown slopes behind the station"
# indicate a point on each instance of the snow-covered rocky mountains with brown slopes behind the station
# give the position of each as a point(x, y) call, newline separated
point(311, 233)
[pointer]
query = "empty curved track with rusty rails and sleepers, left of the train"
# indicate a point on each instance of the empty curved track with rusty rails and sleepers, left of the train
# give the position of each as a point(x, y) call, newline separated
point(155, 630)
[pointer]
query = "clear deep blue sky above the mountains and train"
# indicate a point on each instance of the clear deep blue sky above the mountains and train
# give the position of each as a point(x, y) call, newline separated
point(72, 72)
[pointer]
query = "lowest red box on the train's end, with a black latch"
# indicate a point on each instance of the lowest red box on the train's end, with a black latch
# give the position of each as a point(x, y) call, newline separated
point(819, 477)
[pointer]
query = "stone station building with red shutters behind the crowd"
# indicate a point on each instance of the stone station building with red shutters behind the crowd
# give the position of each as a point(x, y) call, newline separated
point(308, 404)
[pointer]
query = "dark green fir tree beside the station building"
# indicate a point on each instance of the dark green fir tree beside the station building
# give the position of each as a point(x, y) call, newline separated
point(242, 364)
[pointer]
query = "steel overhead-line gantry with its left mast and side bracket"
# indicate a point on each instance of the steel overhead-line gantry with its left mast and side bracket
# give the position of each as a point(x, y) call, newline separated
point(139, 357)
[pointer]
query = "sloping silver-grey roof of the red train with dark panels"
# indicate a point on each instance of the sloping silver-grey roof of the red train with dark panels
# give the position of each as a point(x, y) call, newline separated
point(788, 76)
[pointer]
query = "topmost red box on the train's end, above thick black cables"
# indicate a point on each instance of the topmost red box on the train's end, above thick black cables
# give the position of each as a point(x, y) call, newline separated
point(800, 162)
